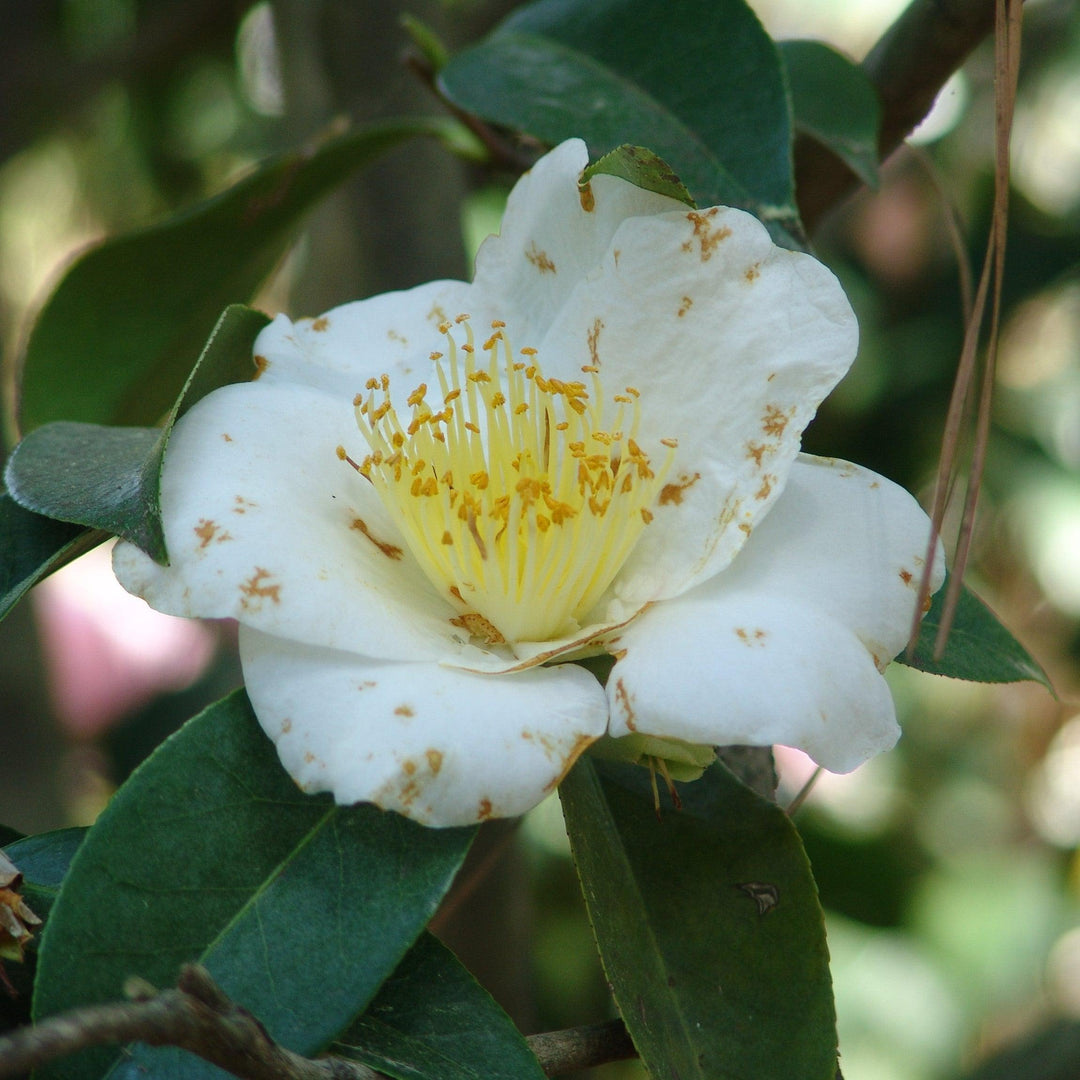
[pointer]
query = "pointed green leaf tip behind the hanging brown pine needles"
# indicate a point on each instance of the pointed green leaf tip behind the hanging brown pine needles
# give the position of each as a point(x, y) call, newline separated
point(980, 649)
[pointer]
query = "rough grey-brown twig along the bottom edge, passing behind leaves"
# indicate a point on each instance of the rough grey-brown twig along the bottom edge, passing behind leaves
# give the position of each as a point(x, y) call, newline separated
point(199, 1018)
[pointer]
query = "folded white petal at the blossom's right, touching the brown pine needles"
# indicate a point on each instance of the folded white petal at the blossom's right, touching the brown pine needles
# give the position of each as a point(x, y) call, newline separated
point(787, 645)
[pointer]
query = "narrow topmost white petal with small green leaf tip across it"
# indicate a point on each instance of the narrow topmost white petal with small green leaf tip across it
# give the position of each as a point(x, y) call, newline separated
point(552, 236)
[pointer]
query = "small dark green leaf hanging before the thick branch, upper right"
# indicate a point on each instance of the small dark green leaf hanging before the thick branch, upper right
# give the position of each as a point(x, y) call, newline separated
point(835, 103)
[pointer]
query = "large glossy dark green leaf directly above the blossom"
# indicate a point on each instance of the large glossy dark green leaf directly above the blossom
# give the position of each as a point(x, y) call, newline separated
point(698, 83)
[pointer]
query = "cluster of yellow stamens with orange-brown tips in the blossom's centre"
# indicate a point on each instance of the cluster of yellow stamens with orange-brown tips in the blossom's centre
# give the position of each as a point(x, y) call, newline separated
point(521, 496)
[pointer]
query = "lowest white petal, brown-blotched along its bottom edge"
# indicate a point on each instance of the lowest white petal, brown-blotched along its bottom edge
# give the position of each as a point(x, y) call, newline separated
point(440, 746)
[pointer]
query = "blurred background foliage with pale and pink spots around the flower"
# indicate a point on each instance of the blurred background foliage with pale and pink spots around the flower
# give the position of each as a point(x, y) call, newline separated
point(949, 868)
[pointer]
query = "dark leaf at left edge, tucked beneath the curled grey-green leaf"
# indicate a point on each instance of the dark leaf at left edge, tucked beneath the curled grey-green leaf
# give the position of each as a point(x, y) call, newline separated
point(31, 548)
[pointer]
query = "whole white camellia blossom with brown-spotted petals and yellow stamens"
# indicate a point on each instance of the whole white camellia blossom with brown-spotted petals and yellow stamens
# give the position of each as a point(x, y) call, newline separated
point(428, 501)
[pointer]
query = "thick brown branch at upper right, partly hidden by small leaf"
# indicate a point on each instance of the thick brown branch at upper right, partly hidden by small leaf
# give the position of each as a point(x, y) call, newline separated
point(908, 69)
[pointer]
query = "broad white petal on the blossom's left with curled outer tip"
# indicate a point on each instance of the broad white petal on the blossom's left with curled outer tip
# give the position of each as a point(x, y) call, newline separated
point(265, 524)
